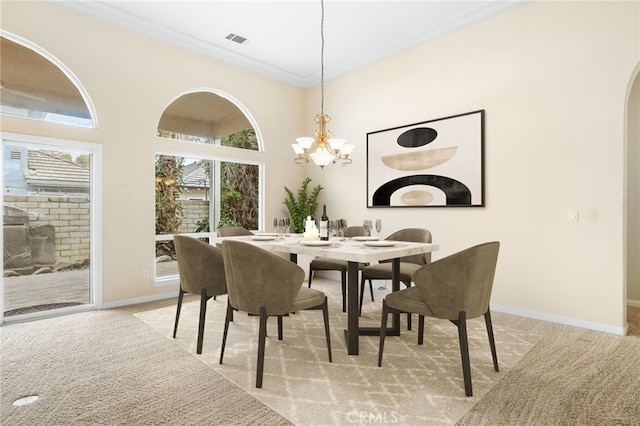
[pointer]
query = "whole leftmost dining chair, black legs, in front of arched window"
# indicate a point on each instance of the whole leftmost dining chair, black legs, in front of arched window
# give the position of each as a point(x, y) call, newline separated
point(201, 269)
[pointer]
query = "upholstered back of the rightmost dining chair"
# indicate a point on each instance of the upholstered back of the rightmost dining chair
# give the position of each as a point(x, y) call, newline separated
point(460, 282)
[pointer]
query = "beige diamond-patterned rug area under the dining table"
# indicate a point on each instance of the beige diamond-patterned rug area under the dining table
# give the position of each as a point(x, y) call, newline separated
point(416, 385)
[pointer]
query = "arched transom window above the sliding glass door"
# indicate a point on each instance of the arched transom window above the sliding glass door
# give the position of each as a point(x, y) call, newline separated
point(34, 84)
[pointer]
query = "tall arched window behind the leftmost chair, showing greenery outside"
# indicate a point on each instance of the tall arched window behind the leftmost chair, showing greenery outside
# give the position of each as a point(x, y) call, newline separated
point(196, 195)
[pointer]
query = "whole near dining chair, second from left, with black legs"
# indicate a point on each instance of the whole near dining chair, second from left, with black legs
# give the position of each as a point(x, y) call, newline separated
point(265, 284)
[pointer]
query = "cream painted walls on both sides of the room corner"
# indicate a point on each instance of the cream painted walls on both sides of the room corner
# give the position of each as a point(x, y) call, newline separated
point(552, 76)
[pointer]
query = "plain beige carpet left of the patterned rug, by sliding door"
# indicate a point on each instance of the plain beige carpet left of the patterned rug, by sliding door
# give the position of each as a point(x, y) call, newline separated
point(108, 368)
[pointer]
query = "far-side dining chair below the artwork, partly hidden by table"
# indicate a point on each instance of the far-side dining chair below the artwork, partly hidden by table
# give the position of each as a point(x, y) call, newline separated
point(408, 264)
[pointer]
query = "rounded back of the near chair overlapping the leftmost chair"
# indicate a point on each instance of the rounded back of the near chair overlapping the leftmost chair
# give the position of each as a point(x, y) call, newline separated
point(256, 277)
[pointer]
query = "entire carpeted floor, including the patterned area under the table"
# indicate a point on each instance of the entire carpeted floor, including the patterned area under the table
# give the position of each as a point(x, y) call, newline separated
point(113, 368)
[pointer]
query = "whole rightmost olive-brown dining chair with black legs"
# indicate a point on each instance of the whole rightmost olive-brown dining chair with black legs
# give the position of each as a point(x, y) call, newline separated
point(456, 288)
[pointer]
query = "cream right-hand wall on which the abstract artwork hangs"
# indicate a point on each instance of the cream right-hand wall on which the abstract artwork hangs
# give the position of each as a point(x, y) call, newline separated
point(553, 78)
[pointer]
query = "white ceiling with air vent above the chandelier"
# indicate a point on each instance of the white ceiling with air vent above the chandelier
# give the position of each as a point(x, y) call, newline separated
point(283, 37)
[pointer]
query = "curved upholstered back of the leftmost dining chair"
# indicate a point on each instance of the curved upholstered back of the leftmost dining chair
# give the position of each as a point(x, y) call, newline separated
point(200, 265)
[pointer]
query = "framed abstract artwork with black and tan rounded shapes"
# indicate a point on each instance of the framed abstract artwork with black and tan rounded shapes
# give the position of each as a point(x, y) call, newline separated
point(436, 163)
